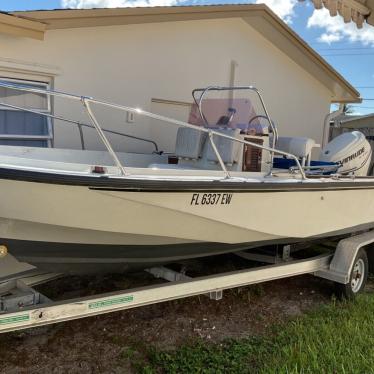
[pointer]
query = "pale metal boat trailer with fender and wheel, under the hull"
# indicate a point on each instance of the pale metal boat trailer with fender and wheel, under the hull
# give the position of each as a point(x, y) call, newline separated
point(22, 307)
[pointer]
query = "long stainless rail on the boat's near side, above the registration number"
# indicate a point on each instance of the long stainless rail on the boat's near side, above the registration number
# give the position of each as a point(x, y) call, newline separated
point(86, 102)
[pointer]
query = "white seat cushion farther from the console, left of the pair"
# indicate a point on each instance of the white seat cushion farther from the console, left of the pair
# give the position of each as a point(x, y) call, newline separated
point(189, 143)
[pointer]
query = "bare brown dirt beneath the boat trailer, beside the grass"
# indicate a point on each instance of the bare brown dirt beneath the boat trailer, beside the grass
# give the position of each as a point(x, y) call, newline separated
point(110, 343)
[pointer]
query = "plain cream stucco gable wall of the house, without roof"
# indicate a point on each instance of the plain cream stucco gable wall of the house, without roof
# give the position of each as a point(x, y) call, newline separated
point(132, 64)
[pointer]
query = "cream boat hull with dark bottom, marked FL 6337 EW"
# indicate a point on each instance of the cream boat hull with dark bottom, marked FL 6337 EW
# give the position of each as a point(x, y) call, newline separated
point(99, 225)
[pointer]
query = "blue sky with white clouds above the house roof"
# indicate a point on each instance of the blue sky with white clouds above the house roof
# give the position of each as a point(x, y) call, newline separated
point(349, 50)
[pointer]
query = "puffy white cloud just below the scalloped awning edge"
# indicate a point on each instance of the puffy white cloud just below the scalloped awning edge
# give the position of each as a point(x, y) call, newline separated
point(335, 29)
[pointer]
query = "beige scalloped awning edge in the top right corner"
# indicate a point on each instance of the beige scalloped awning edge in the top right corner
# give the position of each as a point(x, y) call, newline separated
point(357, 11)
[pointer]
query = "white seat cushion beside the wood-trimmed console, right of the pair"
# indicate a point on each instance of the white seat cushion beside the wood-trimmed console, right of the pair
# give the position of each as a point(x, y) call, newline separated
point(228, 149)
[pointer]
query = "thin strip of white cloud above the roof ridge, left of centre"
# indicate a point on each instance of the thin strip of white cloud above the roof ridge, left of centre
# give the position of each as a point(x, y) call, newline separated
point(86, 4)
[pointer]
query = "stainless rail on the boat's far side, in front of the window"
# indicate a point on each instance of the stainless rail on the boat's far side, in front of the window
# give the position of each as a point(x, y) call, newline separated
point(79, 125)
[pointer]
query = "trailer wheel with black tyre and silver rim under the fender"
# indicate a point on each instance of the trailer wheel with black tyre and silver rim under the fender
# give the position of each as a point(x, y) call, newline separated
point(357, 278)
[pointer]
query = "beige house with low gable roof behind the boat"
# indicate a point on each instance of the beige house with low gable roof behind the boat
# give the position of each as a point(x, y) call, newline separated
point(153, 58)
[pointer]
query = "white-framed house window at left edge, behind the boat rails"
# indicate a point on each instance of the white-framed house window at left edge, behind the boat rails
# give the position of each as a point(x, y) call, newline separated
point(24, 128)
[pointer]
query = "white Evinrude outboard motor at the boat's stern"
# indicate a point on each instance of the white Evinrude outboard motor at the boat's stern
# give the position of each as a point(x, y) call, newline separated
point(351, 150)
